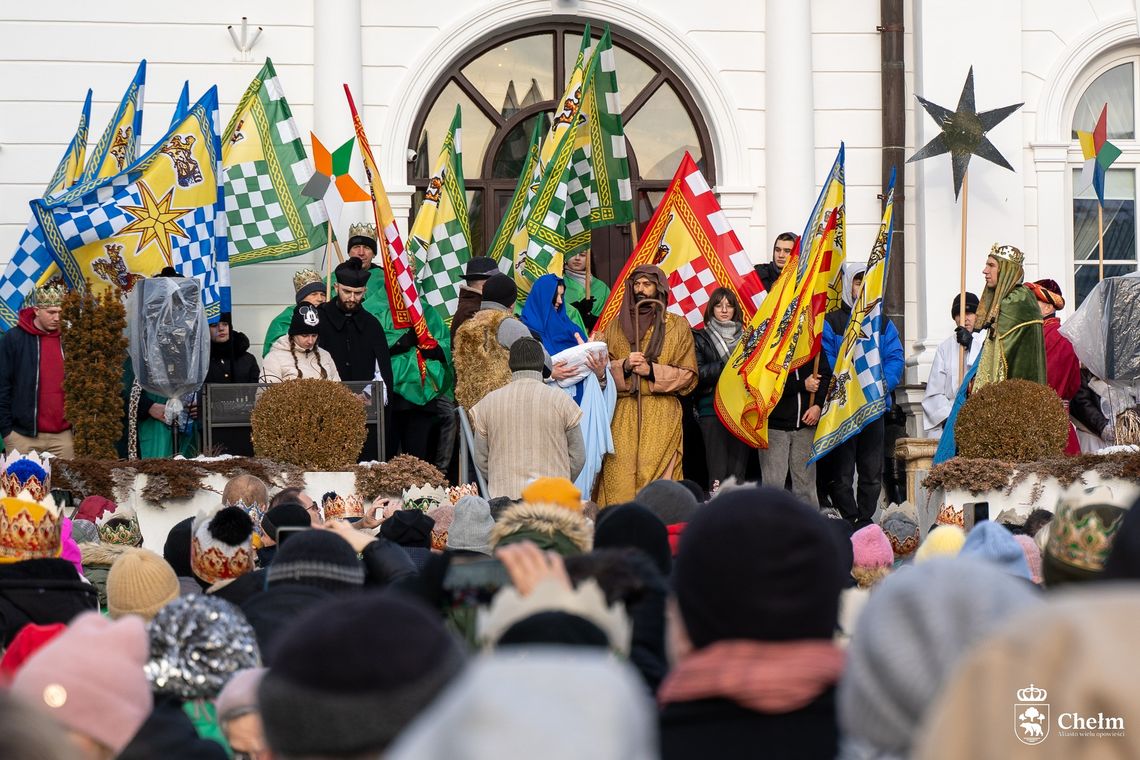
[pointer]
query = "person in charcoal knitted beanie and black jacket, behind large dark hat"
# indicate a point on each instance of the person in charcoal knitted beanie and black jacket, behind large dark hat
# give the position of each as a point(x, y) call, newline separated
point(313, 567)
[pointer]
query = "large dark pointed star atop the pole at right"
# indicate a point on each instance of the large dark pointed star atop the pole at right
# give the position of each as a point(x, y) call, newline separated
point(964, 133)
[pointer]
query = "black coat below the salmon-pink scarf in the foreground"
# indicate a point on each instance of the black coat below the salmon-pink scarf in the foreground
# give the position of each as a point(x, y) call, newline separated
point(720, 729)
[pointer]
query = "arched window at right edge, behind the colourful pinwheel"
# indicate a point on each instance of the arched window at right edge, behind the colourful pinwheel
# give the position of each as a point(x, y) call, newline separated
point(1114, 83)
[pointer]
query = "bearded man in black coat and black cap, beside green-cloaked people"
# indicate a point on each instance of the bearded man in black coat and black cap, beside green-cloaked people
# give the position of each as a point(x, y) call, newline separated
point(355, 338)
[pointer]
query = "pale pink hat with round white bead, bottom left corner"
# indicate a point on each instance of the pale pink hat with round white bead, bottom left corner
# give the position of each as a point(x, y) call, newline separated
point(91, 680)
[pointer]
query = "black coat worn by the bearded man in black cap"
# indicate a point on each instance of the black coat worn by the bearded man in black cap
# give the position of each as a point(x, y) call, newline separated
point(356, 342)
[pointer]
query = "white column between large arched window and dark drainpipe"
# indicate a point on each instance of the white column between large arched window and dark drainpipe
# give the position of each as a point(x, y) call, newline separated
point(789, 118)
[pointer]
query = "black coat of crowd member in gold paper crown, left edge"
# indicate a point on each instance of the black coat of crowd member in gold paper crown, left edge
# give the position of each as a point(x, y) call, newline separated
point(42, 592)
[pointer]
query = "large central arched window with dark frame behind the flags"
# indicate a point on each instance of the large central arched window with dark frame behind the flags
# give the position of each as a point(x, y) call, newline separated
point(515, 78)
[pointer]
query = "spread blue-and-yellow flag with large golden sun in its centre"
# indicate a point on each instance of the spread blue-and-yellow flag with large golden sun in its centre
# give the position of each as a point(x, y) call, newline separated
point(166, 210)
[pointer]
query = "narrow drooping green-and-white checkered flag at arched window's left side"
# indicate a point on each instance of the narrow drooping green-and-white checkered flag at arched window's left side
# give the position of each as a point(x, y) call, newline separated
point(441, 236)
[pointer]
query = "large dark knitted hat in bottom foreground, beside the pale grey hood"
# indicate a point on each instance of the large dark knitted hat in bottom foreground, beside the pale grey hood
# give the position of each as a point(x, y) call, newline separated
point(353, 706)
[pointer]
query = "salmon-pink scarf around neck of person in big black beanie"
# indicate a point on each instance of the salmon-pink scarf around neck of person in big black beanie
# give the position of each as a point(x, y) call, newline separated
point(771, 677)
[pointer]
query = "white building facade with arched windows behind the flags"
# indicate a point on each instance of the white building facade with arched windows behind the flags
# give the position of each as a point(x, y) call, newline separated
point(769, 89)
